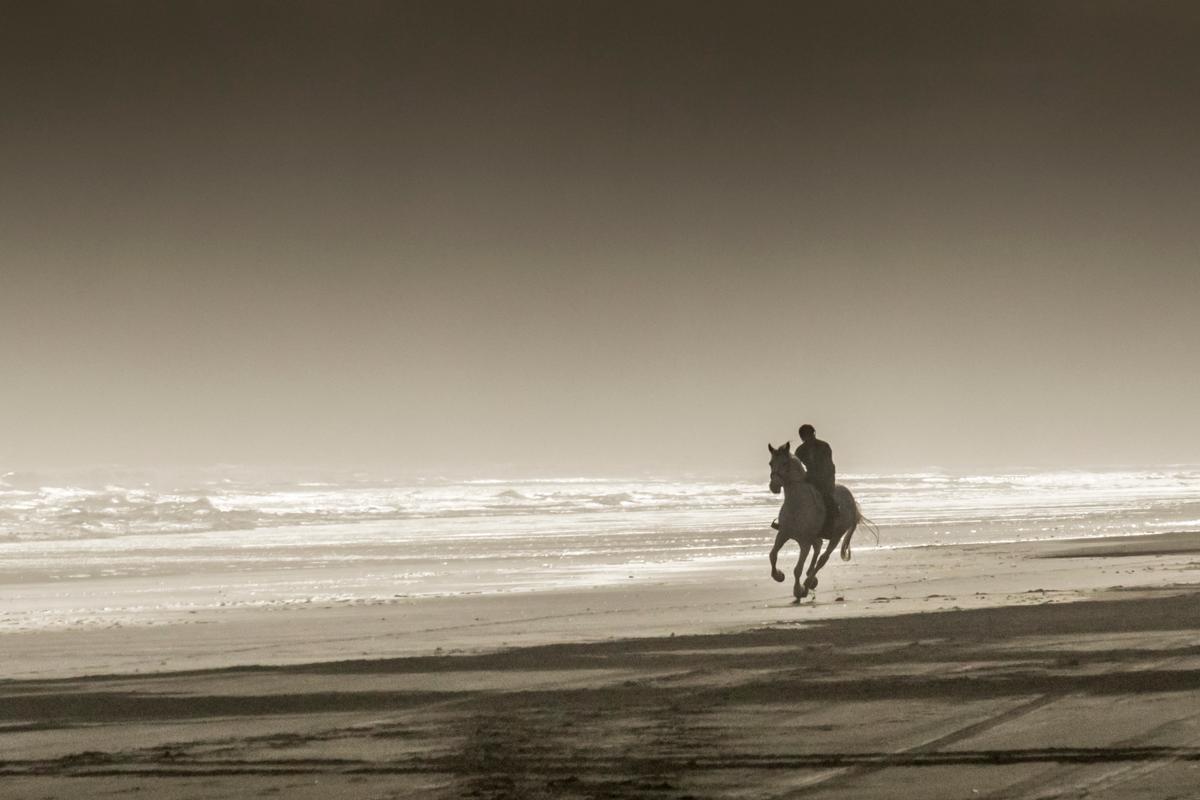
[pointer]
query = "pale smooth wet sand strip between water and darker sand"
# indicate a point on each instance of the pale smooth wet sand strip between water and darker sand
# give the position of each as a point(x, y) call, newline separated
point(716, 599)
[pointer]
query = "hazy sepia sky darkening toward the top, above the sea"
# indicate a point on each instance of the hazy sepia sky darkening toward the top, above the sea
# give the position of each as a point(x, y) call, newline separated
point(549, 238)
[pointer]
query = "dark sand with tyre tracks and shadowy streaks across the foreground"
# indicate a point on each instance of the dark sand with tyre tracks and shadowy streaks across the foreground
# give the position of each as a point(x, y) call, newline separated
point(1099, 697)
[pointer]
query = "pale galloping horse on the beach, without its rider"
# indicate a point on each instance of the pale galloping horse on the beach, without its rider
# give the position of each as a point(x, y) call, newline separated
point(802, 518)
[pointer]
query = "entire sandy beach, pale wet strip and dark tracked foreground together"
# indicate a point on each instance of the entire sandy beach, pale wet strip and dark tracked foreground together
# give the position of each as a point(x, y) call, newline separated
point(1037, 670)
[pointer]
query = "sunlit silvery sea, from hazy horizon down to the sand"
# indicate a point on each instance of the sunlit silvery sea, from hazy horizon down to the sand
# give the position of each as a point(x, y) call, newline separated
point(147, 544)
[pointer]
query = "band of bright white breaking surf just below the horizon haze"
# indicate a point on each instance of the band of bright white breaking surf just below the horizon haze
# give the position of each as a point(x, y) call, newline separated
point(113, 503)
